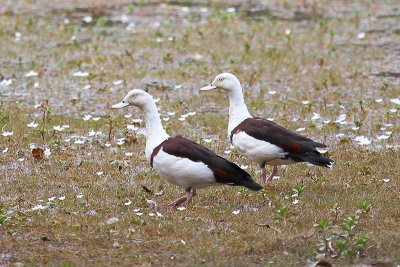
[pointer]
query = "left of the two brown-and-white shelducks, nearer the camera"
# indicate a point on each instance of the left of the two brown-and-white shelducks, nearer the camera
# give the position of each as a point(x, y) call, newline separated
point(181, 161)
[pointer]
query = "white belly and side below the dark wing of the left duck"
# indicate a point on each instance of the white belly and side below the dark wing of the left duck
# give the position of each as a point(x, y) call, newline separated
point(183, 172)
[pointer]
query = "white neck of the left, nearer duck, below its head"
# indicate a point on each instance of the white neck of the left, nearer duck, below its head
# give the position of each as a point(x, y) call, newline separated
point(155, 133)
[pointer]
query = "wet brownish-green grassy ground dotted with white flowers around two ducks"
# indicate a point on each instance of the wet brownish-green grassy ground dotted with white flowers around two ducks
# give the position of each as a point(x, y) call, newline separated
point(297, 61)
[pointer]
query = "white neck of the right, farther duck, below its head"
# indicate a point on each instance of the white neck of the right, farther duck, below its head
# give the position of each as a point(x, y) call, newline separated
point(237, 108)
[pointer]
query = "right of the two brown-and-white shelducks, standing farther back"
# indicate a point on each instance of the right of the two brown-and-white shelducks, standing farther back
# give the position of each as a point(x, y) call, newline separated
point(261, 140)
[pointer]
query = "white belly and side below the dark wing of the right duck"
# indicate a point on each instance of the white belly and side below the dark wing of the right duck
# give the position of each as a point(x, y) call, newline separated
point(256, 150)
